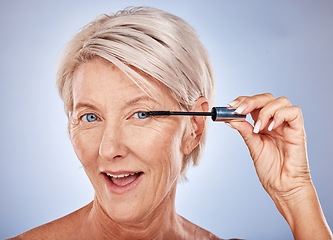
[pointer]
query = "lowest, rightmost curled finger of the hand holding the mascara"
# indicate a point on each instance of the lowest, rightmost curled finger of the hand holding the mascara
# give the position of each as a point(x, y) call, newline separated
point(292, 115)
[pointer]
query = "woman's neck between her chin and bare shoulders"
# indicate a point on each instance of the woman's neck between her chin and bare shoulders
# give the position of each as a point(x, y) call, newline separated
point(163, 222)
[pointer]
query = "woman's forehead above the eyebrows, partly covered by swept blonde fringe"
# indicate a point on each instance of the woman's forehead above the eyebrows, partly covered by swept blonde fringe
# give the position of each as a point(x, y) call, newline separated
point(99, 80)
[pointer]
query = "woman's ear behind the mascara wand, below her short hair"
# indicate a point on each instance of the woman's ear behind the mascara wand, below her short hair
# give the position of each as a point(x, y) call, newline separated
point(196, 126)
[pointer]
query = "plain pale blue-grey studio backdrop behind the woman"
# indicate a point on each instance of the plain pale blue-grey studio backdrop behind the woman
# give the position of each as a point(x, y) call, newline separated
point(283, 47)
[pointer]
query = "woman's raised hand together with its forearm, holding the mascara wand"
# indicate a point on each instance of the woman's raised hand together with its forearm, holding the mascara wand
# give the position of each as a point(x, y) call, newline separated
point(277, 145)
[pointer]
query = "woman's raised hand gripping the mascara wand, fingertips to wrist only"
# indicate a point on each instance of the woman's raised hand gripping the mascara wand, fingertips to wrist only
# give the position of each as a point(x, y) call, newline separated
point(277, 143)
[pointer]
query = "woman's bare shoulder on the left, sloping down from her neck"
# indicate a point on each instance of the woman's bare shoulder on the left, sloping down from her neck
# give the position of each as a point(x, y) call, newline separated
point(62, 228)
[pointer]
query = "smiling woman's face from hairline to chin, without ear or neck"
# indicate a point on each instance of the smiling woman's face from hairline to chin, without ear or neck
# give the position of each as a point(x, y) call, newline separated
point(132, 162)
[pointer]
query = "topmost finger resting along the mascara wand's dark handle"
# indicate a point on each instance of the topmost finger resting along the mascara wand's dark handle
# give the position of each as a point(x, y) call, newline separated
point(246, 105)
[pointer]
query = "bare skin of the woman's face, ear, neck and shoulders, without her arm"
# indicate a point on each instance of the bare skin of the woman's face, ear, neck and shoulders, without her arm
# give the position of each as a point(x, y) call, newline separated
point(109, 137)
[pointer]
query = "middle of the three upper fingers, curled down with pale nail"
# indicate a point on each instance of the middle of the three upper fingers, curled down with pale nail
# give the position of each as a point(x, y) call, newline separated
point(267, 112)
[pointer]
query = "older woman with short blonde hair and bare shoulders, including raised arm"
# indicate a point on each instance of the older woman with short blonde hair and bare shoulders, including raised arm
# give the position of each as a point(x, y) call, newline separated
point(142, 59)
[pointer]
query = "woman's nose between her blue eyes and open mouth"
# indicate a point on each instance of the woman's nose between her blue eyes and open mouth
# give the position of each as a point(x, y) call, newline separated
point(112, 145)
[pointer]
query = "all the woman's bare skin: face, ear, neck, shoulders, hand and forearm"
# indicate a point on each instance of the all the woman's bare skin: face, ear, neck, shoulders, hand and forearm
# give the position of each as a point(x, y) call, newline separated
point(113, 141)
